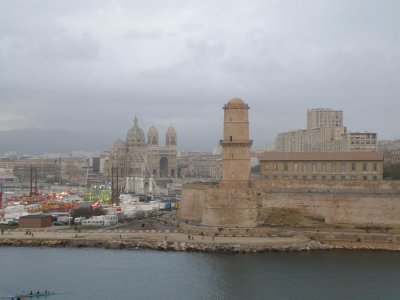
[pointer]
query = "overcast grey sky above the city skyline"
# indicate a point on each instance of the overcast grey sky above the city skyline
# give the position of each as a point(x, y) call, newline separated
point(90, 66)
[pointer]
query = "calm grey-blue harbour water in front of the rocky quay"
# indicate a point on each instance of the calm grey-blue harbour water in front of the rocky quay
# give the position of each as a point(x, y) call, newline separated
point(138, 274)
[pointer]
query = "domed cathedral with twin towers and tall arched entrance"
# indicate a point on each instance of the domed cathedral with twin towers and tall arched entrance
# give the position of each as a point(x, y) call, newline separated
point(141, 157)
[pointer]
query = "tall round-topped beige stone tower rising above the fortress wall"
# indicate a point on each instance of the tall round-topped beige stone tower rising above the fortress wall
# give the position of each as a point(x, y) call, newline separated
point(236, 144)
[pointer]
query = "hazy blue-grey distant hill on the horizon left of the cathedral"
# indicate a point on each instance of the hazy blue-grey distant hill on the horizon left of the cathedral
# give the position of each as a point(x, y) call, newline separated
point(37, 141)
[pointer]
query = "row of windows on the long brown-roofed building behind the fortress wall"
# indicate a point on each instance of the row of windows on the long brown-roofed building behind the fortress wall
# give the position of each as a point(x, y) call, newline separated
point(324, 167)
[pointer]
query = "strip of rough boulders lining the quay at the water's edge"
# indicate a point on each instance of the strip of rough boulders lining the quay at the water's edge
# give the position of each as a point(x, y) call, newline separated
point(165, 245)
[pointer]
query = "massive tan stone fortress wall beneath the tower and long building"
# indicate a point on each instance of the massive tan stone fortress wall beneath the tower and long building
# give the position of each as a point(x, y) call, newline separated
point(292, 203)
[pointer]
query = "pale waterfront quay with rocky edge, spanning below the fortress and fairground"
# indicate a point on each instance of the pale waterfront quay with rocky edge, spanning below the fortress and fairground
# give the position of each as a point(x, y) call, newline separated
point(170, 234)
